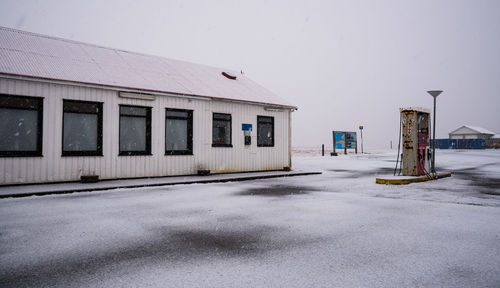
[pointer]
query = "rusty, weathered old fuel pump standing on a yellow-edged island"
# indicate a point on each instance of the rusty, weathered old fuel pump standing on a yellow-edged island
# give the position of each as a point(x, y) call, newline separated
point(415, 130)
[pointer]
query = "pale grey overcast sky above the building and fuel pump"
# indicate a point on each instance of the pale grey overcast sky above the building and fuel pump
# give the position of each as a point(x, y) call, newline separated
point(343, 63)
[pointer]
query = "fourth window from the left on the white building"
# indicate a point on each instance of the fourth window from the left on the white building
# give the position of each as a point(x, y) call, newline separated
point(178, 132)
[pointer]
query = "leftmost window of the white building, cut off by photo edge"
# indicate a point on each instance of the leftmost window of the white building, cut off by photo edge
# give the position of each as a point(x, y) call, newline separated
point(21, 121)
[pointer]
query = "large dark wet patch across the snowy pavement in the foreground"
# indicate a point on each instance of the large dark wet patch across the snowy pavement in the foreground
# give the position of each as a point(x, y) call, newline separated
point(164, 244)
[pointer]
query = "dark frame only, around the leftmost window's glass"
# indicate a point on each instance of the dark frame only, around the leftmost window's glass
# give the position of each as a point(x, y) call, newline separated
point(38, 101)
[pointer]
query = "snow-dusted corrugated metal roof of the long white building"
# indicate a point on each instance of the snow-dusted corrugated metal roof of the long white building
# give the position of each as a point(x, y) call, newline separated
point(34, 55)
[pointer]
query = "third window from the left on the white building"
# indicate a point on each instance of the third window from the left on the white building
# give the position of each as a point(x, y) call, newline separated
point(135, 130)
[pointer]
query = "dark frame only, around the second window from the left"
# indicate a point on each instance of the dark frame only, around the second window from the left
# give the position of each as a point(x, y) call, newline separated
point(99, 106)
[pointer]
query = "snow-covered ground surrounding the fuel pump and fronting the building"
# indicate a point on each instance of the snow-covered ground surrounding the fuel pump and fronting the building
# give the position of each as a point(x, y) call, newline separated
point(338, 229)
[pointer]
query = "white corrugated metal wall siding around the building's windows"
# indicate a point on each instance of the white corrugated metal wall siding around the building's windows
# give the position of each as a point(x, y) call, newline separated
point(53, 167)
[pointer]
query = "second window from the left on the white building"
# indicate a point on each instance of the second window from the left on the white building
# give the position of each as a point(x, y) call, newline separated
point(82, 128)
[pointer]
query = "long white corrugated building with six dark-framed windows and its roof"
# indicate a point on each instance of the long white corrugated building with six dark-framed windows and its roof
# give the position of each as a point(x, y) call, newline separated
point(70, 109)
